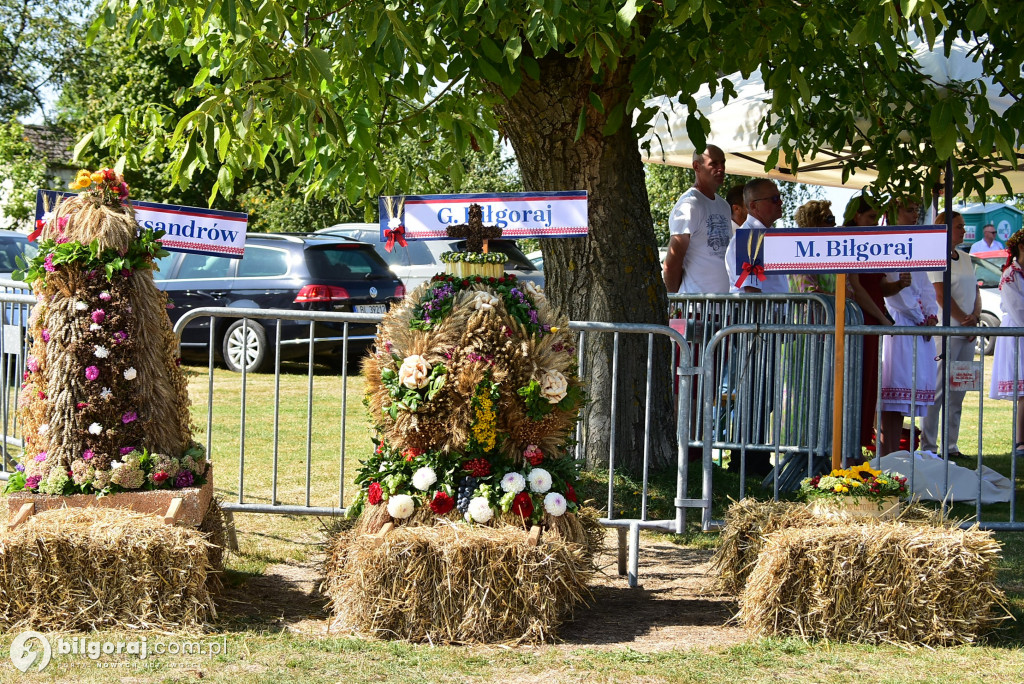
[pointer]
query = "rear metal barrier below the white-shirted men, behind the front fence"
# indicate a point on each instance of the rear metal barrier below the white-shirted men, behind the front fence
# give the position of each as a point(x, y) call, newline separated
point(753, 375)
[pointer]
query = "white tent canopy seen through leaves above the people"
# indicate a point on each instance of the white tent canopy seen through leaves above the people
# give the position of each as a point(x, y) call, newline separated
point(735, 126)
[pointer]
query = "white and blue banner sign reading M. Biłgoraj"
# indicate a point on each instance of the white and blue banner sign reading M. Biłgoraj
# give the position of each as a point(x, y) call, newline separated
point(844, 250)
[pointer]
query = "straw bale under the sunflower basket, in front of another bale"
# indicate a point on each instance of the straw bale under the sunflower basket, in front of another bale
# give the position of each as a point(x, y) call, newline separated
point(885, 583)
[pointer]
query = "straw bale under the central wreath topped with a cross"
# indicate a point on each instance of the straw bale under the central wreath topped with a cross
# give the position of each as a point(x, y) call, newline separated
point(455, 584)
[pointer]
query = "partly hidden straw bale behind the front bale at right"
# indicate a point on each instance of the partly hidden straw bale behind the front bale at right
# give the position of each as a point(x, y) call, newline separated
point(749, 522)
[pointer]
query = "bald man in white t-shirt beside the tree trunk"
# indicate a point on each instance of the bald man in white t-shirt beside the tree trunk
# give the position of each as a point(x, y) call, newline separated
point(700, 228)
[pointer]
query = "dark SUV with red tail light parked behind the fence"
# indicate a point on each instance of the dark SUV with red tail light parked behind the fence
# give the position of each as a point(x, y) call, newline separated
point(291, 272)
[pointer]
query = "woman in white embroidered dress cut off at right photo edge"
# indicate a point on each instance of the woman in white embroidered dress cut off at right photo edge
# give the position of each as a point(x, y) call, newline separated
point(1010, 351)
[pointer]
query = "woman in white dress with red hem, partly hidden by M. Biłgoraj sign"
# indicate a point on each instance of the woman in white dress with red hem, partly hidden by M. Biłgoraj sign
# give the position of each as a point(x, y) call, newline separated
point(907, 384)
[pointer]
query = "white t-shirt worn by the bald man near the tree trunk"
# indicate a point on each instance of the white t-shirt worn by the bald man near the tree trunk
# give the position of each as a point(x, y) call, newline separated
point(708, 223)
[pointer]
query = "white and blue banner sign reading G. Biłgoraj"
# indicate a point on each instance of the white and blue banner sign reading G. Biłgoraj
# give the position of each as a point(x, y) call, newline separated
point(518, 215)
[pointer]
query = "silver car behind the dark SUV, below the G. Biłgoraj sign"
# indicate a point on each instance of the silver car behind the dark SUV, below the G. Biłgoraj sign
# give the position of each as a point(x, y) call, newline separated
point(420, 261)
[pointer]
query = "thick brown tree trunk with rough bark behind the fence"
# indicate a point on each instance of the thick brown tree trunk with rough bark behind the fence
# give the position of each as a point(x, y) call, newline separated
point(614, 275)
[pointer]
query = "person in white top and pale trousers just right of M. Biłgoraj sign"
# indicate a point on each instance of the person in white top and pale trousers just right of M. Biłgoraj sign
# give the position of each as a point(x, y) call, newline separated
point(964, 311)
